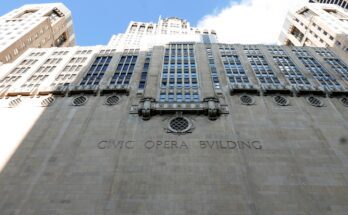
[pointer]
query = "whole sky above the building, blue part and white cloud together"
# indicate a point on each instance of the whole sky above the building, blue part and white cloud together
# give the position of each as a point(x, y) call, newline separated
point(236, 21)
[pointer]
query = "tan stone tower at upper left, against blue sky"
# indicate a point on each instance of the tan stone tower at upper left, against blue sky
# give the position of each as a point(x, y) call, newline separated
point(35, 26)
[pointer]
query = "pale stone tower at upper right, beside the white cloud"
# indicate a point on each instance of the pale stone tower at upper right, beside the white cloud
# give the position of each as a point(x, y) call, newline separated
point(317, 25)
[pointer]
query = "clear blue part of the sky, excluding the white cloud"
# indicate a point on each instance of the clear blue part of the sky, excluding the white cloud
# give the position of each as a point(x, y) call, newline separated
point(95, 21)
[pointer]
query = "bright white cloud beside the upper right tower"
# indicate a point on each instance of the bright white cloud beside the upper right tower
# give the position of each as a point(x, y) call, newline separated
point(250, 21)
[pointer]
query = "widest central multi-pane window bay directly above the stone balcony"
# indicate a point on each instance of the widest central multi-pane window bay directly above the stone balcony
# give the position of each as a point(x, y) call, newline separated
point(179, 79)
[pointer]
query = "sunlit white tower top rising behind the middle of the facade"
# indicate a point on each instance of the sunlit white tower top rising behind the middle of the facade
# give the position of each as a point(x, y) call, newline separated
point(144, 35)
